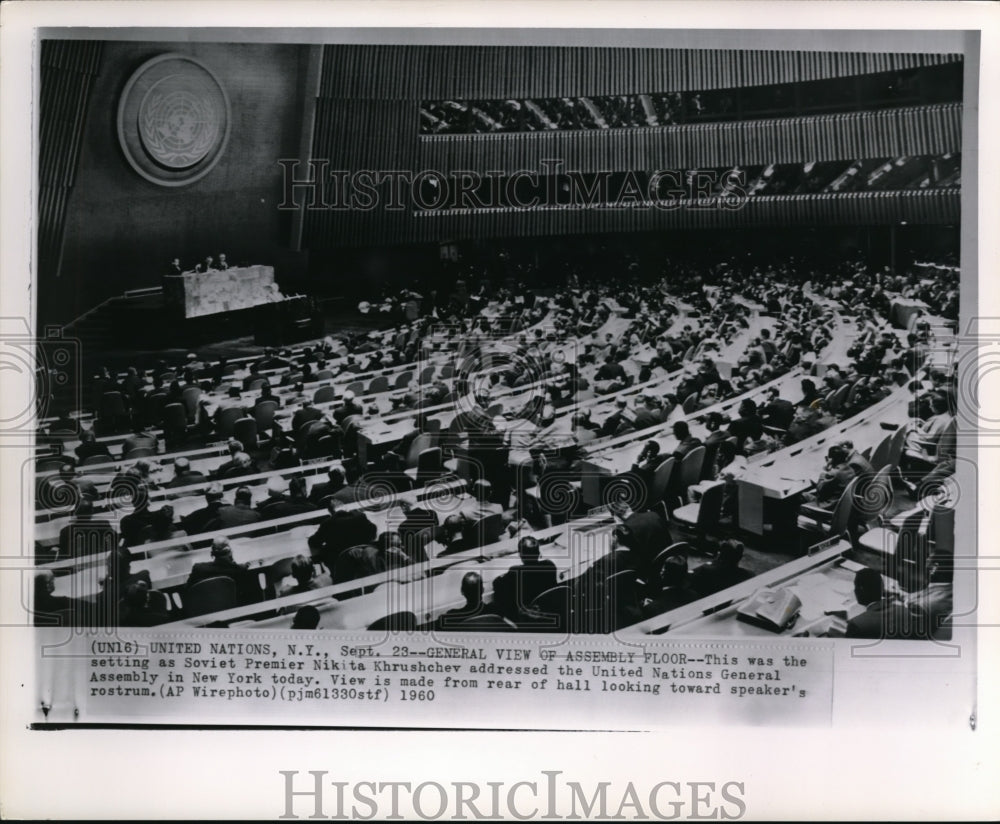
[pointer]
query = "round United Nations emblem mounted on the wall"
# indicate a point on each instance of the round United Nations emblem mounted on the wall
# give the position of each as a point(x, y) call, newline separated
point(173, 120)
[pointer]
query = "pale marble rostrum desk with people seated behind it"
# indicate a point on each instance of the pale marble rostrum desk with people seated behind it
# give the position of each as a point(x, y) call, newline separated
point(198, 294)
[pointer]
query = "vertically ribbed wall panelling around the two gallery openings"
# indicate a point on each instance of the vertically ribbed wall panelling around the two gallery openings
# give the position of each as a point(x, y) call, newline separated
point(368, 118)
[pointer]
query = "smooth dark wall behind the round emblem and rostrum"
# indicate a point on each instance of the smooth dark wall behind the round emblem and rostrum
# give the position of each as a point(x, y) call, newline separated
point(121, 230)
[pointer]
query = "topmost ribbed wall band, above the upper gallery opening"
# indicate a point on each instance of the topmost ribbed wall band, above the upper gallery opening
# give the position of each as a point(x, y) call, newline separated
point(438, 72)
